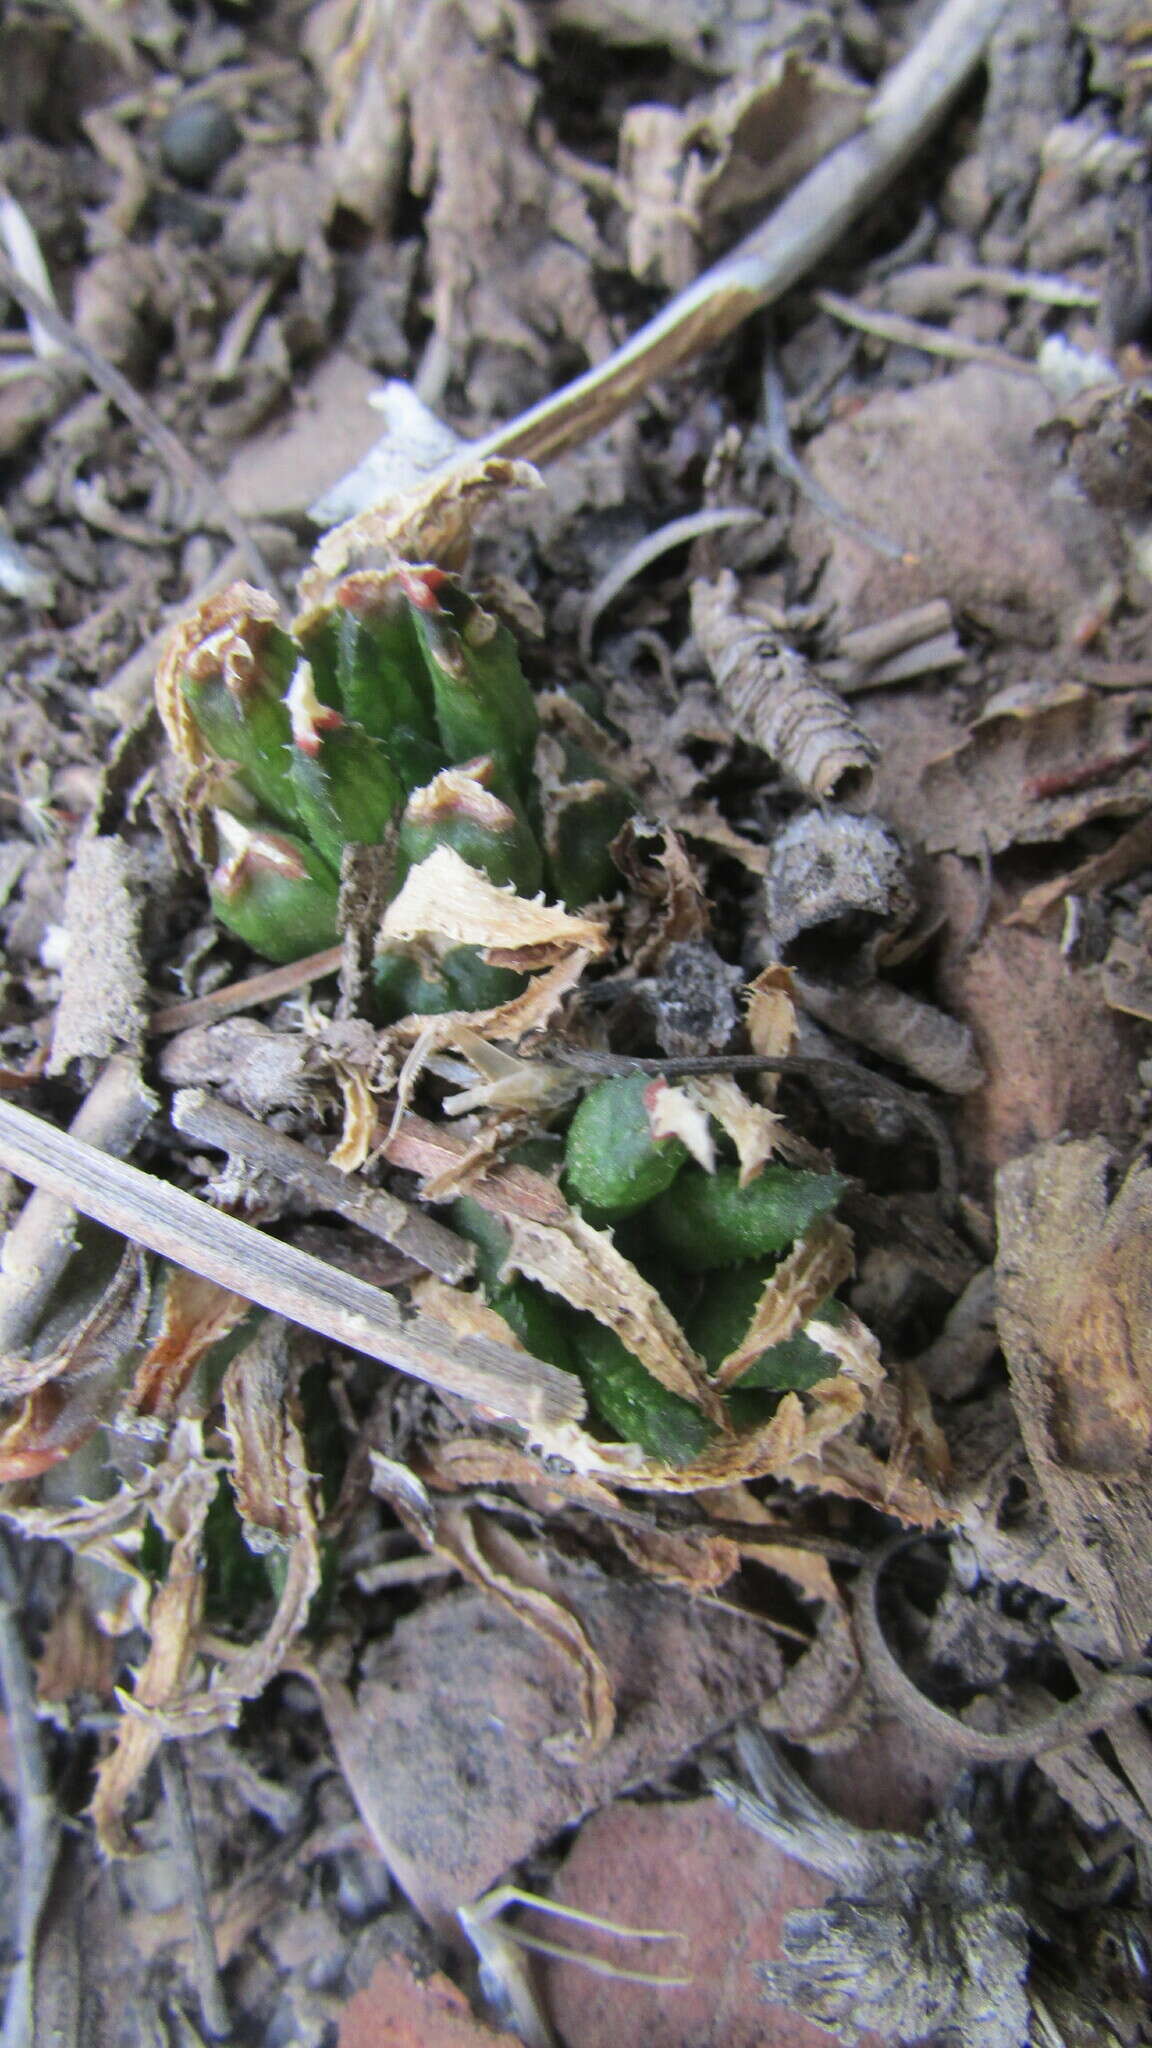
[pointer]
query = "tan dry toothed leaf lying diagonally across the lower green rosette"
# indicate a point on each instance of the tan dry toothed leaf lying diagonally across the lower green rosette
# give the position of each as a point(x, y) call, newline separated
point(587, 1271)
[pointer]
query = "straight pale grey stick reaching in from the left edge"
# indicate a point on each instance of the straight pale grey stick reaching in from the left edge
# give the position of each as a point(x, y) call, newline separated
point(282, 1279)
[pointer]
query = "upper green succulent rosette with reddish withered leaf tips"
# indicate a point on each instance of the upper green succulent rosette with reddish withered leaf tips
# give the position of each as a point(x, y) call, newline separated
point(393, 714)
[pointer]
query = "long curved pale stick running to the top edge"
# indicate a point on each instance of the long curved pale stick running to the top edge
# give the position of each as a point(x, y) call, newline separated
point(768, 263)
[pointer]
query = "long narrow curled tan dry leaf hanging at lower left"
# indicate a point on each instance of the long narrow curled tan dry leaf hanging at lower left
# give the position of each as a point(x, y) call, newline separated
point(183, 1496)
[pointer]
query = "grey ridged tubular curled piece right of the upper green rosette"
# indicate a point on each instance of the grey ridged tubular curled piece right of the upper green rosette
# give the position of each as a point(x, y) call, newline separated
point(776, 699)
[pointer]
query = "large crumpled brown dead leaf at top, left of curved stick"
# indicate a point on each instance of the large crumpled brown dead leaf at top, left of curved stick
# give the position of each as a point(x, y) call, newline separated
point(442, 95)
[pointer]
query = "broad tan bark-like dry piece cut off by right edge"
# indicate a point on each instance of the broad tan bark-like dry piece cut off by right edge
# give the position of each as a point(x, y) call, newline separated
point(1075, 1308)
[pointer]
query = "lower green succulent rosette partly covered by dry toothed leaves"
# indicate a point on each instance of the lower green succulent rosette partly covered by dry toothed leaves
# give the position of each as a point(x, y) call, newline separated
point(702, 1240)
